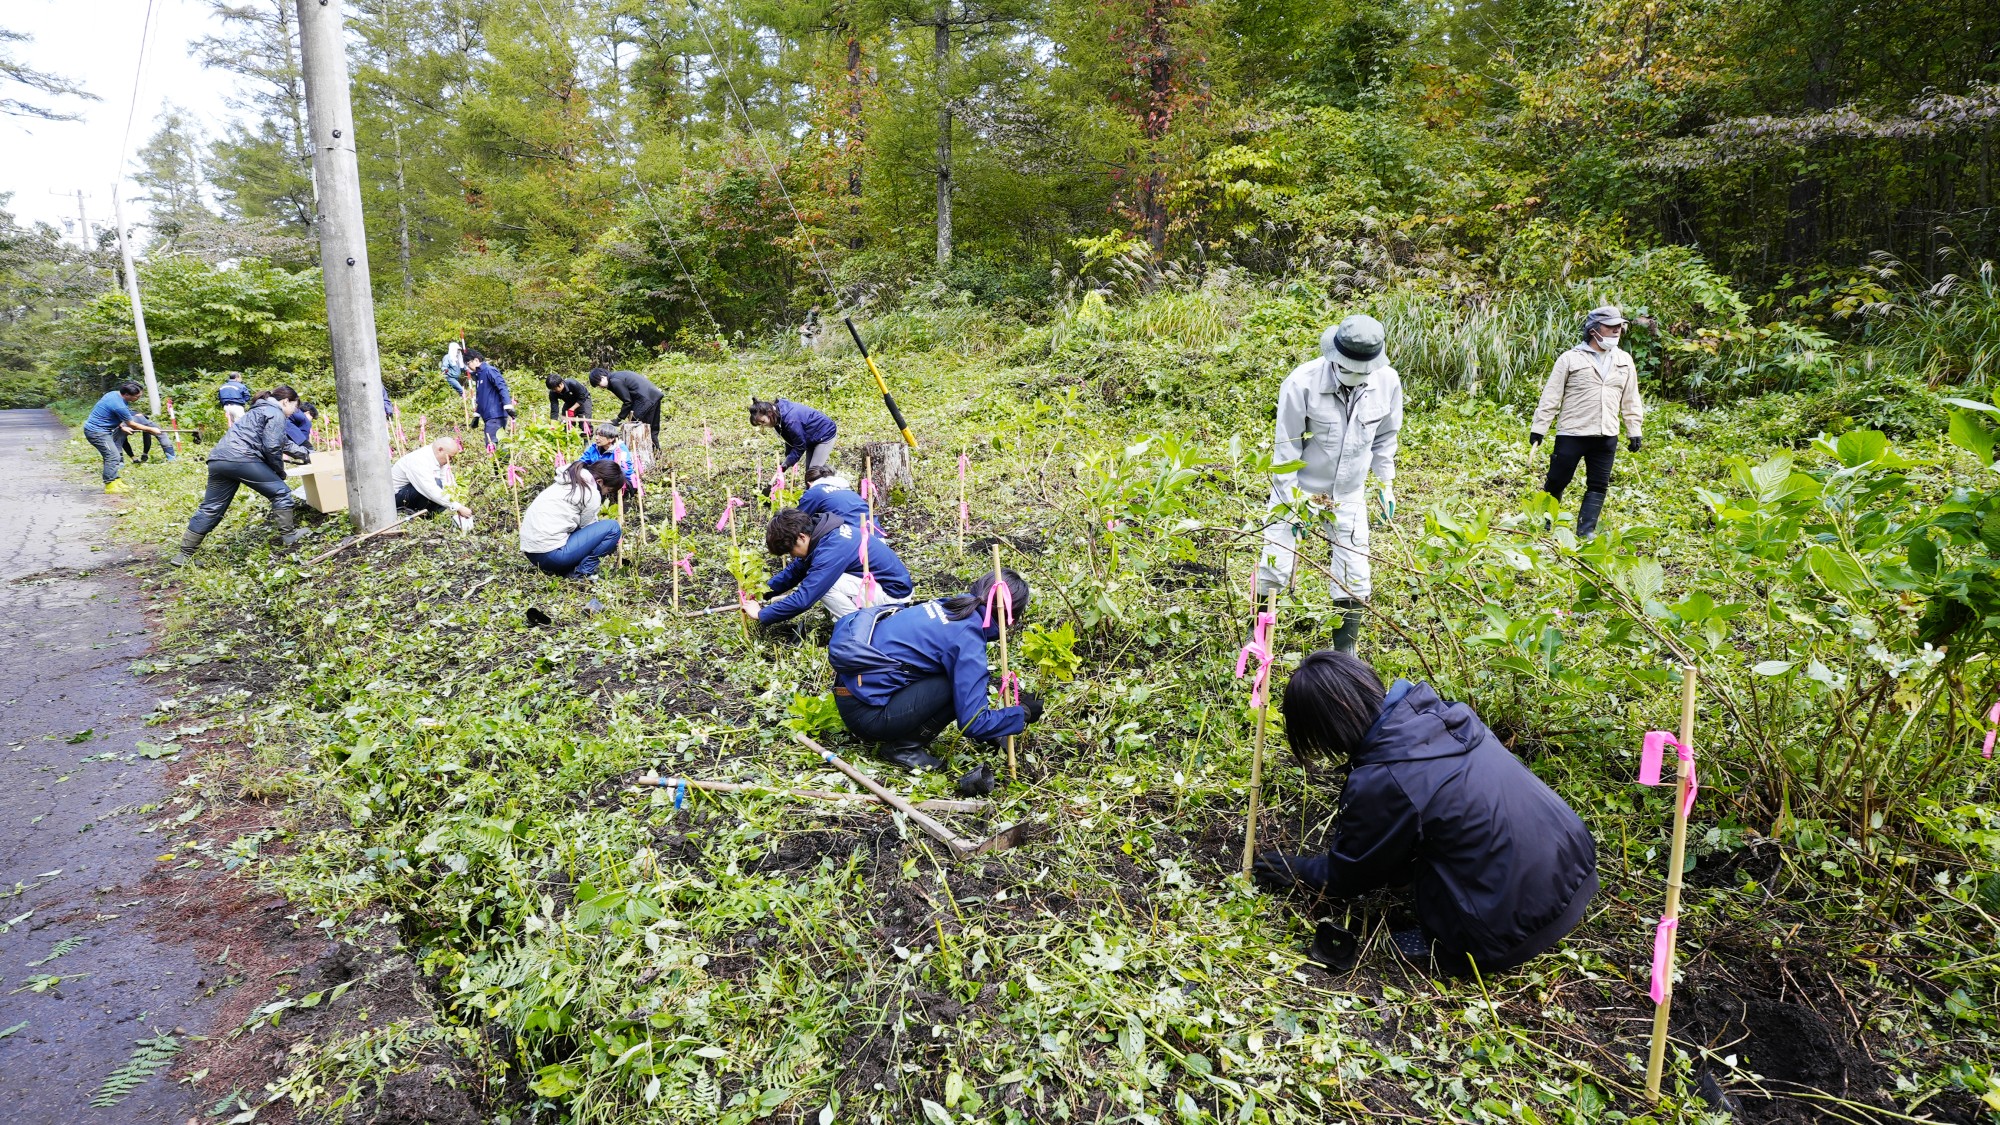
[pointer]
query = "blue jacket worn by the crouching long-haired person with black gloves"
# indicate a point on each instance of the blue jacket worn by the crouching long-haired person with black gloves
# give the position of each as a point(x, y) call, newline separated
point(923, 642)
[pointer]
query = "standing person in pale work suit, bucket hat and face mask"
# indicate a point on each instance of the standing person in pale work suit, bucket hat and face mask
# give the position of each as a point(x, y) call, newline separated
point(1339, 415)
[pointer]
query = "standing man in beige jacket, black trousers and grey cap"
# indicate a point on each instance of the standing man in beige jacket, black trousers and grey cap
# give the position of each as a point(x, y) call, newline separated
point(1591, 387)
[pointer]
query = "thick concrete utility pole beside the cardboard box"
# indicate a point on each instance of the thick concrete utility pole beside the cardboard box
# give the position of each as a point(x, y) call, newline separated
point(345, 265)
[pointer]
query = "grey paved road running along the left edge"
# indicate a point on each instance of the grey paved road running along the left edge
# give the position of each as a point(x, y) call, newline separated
point(71, 850)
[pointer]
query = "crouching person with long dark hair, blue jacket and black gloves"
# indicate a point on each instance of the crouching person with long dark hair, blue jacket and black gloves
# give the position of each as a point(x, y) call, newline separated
point(907, 674)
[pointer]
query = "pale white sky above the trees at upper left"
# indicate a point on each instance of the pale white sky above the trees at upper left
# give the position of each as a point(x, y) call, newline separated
point(97, 43)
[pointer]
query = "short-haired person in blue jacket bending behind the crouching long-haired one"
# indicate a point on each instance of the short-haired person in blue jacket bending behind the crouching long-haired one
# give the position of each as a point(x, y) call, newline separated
point(827, 568)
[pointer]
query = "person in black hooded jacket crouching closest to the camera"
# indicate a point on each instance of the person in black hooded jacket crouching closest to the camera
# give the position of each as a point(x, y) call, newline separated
point(1501, 868)
